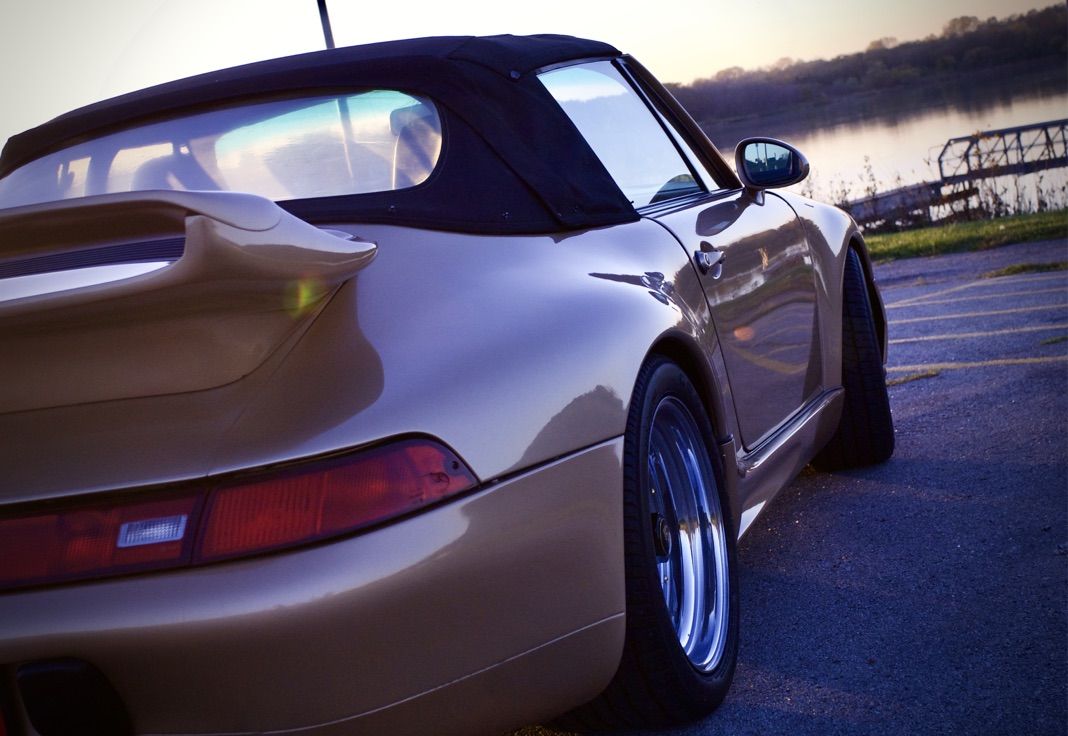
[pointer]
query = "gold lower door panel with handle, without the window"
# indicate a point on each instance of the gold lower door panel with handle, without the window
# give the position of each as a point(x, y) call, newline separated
point(758, 275)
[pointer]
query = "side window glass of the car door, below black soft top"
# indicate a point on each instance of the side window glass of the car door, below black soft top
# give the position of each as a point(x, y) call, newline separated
point(623, 132)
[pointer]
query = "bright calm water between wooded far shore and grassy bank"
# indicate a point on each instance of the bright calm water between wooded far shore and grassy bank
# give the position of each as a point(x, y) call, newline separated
point(906, 150)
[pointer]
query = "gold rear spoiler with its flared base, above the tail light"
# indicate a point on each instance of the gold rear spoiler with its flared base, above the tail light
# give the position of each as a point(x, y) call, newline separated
point(250, 276)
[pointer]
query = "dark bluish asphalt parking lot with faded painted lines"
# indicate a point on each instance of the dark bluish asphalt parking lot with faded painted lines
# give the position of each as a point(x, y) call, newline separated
point(928, 596)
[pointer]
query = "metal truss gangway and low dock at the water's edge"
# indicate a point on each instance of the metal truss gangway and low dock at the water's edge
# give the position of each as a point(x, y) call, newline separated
point(964, 164)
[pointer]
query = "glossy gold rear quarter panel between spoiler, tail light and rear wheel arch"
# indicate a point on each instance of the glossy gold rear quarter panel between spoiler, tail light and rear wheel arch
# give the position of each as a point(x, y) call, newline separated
point(514, 351)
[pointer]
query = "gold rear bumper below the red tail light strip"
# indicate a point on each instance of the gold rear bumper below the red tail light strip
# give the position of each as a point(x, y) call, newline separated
point(434, 624)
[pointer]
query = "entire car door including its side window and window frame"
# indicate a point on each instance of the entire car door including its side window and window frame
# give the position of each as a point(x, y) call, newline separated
point(749, 248)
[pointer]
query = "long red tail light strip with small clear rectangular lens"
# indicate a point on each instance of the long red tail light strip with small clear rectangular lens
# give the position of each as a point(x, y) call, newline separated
point(295, 507)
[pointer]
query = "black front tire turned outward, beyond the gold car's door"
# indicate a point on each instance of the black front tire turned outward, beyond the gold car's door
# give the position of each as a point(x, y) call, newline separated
point(866, 433)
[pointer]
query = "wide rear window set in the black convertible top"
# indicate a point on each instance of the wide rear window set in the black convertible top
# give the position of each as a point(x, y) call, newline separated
point(284, 150)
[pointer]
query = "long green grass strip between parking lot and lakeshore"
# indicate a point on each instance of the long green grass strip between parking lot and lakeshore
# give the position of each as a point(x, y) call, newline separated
point(964, 237)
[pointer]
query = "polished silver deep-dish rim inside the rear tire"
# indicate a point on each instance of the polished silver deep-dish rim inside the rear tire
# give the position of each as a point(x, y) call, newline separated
point(688, 534)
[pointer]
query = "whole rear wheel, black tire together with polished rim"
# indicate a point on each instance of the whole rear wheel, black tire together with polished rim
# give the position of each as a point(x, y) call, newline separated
point(663, 682)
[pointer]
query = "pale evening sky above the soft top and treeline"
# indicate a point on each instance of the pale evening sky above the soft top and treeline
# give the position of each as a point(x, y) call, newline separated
point(59, 55)
